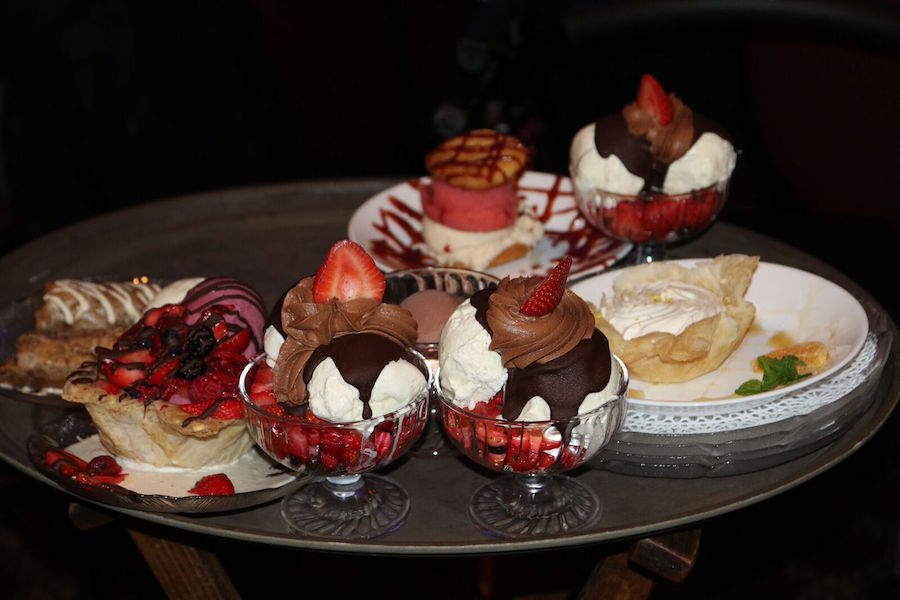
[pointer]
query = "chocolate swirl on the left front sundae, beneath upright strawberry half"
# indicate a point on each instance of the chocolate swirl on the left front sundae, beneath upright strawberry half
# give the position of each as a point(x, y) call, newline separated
point(308, 325)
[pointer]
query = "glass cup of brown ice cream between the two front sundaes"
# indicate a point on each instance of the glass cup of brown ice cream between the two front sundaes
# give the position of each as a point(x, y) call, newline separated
point(456, 285)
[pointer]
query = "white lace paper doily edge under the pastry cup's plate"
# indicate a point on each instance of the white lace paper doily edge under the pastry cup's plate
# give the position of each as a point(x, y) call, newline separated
point(783, 407)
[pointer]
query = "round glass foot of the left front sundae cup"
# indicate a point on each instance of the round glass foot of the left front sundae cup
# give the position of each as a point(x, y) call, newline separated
point(351, 507)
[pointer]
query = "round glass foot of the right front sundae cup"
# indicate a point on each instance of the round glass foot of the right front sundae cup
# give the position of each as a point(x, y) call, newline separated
point(525, 506)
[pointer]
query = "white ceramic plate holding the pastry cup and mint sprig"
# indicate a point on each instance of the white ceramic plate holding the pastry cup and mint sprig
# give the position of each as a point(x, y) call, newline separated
point(790, 305)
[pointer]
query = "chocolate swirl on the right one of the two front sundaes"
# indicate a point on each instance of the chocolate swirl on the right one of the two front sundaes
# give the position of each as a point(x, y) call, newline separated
point(523, 340)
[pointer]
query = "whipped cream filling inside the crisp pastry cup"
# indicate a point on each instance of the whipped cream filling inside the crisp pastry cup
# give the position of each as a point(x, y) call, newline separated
point(660, 307)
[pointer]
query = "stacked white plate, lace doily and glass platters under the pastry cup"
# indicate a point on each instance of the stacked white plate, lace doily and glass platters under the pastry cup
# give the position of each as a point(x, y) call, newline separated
point(701, 428)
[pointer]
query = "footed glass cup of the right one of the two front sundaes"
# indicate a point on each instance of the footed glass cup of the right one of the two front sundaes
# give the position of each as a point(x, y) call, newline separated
point(533, 499)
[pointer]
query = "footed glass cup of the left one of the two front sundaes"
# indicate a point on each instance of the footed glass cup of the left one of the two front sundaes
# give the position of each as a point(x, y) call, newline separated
point(342, 500)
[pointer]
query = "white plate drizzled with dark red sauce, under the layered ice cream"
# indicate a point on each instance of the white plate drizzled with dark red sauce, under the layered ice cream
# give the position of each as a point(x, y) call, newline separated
point(389, 226)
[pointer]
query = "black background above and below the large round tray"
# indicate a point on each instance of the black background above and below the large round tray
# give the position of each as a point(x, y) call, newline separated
point(106, 104)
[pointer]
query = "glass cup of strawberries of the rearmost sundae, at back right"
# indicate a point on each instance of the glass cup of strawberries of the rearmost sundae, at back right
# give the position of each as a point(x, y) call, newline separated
point(652, 221)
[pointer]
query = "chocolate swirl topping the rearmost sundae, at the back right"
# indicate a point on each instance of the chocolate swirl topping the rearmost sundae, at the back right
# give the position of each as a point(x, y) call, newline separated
point(667, 142)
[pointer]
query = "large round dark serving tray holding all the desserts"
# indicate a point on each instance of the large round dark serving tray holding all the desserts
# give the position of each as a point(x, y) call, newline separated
point(290, 226)
